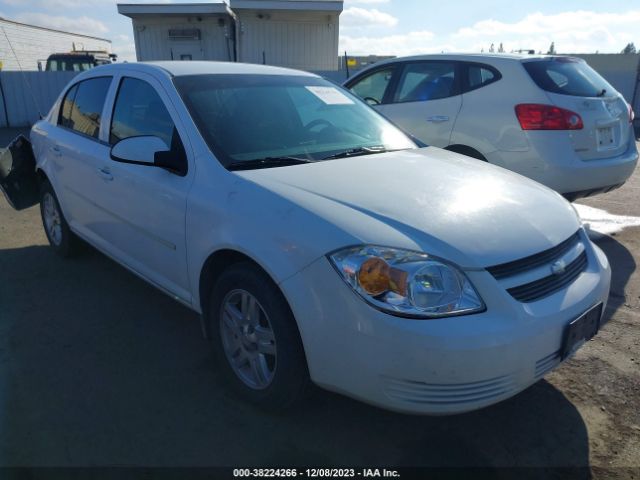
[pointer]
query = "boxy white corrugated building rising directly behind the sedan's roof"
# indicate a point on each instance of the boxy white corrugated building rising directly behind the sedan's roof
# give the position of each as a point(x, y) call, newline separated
point(291, 33)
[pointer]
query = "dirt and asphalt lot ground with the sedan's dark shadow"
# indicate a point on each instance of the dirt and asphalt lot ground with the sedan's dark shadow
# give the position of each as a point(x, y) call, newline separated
point(99, 368)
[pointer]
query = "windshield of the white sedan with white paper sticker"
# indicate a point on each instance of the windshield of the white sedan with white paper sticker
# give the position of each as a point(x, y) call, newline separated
point(250, 118)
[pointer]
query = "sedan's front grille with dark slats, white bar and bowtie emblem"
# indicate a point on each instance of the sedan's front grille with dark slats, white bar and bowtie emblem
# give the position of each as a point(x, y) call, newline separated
point(534, 277)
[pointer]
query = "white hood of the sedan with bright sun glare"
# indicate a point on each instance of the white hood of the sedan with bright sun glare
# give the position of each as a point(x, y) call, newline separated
point(432, 200)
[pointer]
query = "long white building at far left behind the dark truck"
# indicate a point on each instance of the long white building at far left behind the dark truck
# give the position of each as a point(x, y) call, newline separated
point(32, 44)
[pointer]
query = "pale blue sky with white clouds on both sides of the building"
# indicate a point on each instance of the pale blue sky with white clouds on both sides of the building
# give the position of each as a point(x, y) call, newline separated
point(400, 27)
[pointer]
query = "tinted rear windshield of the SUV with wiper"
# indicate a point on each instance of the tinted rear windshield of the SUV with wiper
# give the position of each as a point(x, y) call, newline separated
point(568, 76)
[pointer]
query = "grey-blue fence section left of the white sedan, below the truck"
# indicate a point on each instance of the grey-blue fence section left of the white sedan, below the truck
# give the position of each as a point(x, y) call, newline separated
point(24, 94)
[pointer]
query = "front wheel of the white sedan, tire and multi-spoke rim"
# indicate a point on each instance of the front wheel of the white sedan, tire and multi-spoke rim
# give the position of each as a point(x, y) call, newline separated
point(257, 344)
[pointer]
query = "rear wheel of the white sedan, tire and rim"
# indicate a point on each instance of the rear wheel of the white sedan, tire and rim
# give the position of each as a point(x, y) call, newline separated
point(61, 238)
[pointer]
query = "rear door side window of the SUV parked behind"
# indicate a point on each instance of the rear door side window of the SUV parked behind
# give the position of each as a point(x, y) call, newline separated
point(424, 81)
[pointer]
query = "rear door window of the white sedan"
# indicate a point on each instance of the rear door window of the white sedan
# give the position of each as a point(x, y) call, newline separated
point(83, 112)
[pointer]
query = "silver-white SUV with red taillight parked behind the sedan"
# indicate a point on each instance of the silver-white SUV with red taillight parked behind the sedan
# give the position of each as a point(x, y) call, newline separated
point(551, 118)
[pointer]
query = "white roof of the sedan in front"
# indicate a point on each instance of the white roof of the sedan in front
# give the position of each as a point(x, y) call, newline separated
point(180, 68)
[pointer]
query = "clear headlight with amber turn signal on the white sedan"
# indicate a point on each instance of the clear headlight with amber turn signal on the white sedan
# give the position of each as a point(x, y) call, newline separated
point(406, 283)
